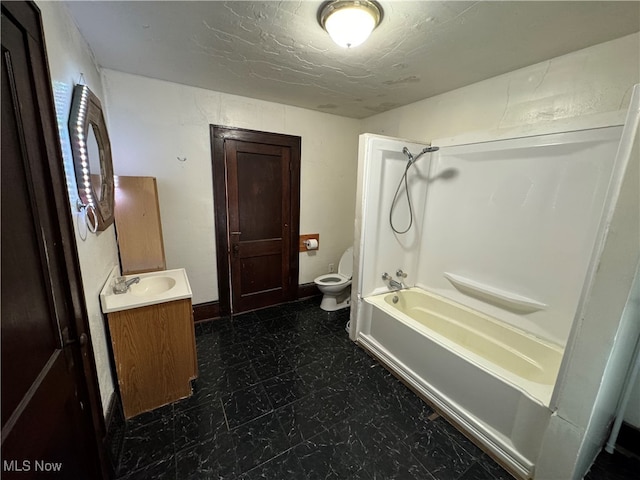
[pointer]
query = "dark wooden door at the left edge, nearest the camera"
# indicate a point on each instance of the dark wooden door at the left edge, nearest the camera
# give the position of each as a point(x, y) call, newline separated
point(46, 419)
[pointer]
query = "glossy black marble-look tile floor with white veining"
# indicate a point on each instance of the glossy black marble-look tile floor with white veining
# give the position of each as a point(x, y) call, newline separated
point(283, 394)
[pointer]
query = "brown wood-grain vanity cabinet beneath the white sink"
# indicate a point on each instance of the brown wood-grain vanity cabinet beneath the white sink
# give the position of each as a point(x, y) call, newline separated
point(155, 354)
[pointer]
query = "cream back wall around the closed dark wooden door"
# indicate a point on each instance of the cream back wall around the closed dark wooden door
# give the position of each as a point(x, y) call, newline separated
point(153, 122)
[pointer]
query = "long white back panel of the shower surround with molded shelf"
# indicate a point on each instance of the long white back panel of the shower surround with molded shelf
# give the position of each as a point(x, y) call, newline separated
point(529, 214)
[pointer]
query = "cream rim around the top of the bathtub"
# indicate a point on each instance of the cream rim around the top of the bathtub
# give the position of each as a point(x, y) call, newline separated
point(536, 392)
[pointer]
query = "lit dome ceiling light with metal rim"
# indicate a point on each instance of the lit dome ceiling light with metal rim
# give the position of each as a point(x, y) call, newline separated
point(350, 22)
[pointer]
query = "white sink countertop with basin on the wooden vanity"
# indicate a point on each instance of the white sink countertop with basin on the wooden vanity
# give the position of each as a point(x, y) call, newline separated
point(112, 302)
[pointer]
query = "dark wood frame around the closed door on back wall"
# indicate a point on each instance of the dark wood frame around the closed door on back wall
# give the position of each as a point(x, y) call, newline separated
point(219, 134)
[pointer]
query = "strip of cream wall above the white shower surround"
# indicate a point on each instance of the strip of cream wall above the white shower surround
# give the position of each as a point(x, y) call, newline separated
point(588, 84)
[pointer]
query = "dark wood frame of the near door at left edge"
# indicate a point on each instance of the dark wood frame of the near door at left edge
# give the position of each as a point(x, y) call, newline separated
point(27, 14)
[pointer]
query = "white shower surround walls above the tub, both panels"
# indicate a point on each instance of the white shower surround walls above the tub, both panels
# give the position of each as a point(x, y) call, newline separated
point(515, 218)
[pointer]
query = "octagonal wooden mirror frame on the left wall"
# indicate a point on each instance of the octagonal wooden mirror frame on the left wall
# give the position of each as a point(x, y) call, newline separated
point(86, 112)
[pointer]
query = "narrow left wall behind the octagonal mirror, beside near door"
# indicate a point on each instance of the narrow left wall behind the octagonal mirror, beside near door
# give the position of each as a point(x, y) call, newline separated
point(69, 56)
